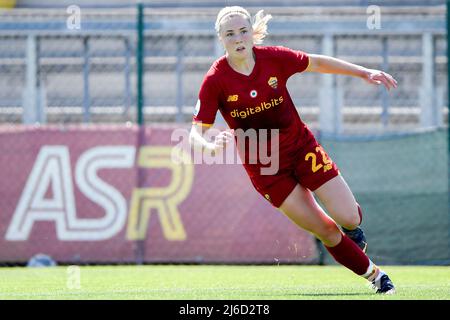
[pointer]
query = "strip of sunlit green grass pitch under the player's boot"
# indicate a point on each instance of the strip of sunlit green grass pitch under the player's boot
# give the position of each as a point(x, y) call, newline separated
point(211, 282)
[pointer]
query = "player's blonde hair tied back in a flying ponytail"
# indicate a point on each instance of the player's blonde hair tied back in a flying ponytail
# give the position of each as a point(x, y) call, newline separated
point(258, 22)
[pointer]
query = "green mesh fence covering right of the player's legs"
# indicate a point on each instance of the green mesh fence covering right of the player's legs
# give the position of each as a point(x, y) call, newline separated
point(401, 183)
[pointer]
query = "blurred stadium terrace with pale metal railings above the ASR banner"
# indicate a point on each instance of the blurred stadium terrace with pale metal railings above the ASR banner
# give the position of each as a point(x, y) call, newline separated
point(41, 53)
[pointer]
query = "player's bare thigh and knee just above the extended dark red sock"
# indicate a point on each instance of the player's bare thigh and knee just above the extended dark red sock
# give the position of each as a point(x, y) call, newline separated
point(301, 207)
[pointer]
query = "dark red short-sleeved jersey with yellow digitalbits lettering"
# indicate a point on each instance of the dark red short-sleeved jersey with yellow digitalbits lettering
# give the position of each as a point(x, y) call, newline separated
point(258, 101)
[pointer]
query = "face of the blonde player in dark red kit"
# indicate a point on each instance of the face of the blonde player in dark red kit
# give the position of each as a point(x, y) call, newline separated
point(236, 35)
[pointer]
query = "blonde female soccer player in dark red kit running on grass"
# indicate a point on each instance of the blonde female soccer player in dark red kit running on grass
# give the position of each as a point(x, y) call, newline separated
point(248, 86)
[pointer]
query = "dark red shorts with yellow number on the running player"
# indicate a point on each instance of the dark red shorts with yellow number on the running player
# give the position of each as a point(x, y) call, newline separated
point(312, 169)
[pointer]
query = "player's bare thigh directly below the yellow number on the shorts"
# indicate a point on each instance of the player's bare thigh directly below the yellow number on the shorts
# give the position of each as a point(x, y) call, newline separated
point(339, 202)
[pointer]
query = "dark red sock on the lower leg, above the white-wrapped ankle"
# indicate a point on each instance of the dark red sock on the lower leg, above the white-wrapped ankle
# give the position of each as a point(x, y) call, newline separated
point(350, 255)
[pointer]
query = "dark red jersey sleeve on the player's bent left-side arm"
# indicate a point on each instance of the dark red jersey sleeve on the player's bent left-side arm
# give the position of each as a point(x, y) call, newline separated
point(207, 103)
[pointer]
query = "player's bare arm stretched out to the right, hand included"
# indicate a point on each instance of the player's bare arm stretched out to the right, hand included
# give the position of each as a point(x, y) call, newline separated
point(327, 64)
